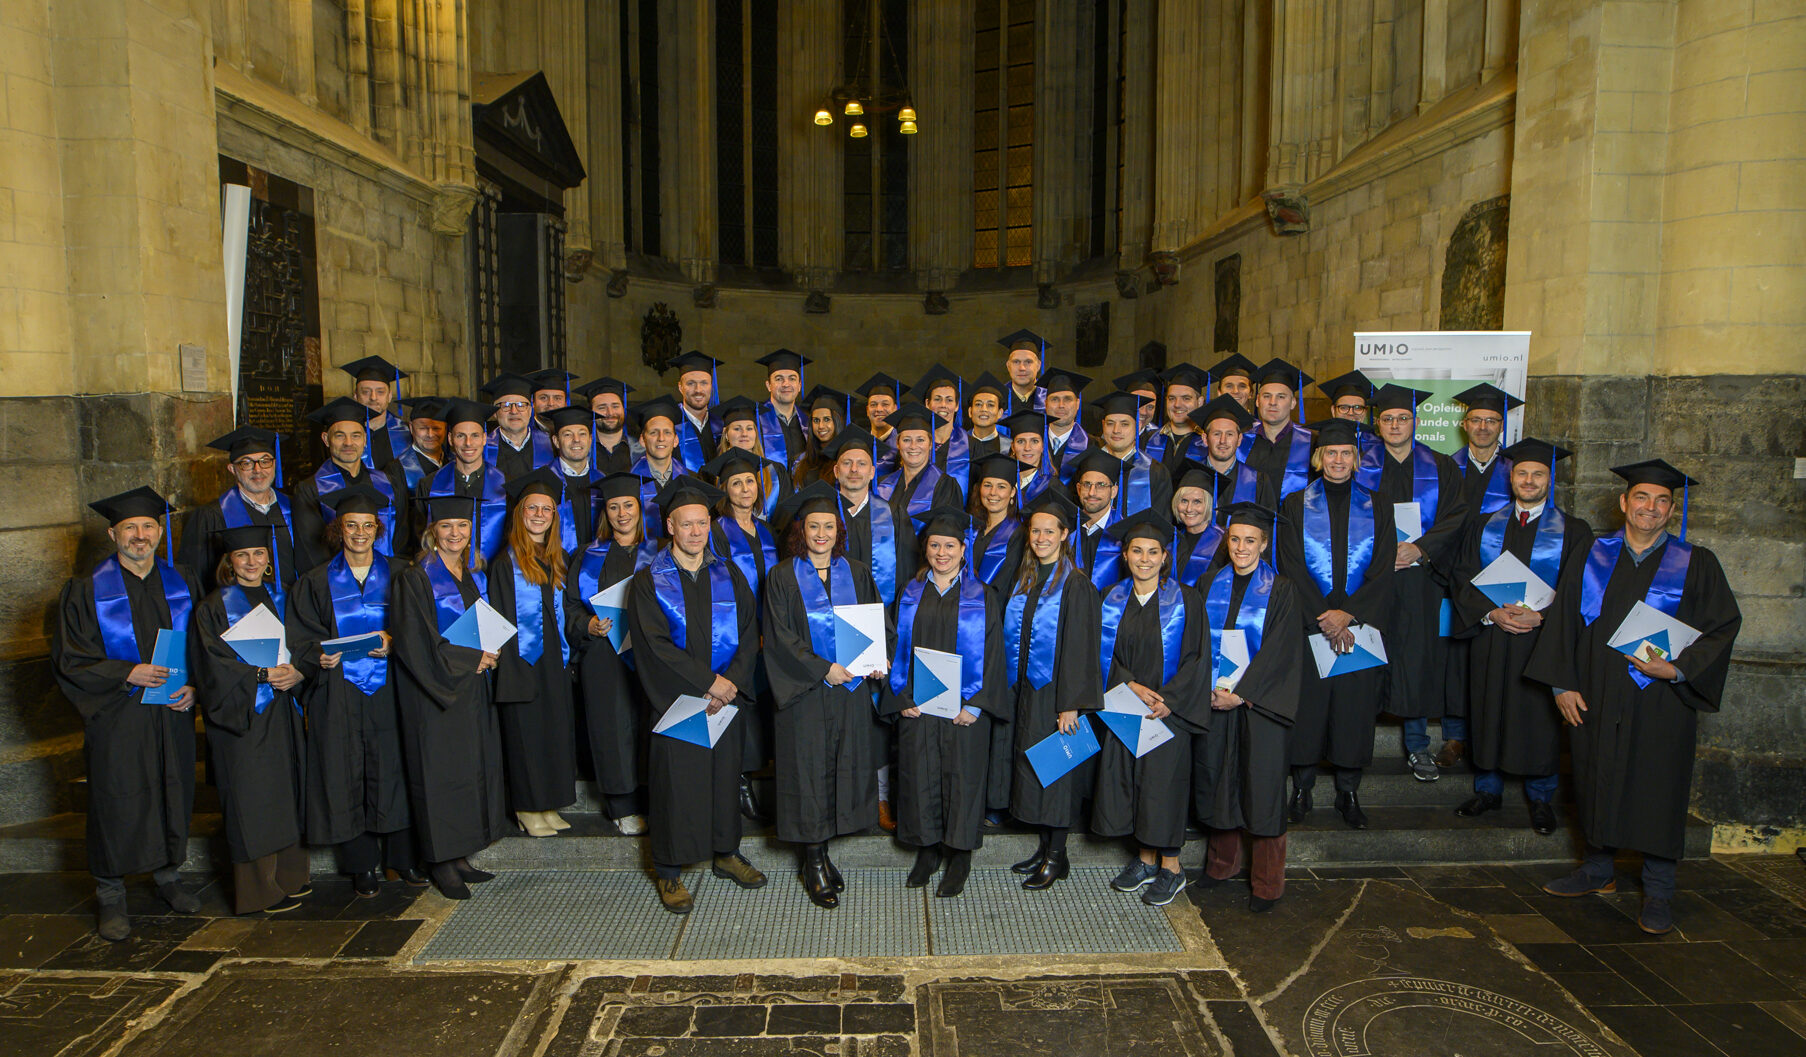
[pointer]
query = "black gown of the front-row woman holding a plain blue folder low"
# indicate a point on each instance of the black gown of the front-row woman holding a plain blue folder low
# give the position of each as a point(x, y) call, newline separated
point(1075, 688)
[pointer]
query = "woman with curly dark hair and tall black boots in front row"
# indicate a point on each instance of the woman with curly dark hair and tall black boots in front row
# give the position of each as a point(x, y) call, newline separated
point(826, 778)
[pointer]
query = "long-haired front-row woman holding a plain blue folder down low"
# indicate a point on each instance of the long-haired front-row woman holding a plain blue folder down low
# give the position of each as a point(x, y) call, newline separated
point(1052, 639)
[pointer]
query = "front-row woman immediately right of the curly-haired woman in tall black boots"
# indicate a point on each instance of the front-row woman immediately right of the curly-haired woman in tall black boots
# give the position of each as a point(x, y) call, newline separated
point(944, 760)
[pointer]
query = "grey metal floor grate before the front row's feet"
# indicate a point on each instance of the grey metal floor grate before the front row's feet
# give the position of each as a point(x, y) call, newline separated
point(615, 915)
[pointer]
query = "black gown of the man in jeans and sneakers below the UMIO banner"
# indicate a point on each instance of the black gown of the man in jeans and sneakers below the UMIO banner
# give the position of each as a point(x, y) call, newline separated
point(1419, 655)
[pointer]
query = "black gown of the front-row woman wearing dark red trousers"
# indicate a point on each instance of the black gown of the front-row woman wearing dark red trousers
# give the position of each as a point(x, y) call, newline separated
point(1240, 763)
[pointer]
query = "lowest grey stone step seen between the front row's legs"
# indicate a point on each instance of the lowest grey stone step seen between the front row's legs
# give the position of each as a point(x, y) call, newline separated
point(1395, 836)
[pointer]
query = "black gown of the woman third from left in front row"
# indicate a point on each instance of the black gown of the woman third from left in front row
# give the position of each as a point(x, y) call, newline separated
point(357, 781)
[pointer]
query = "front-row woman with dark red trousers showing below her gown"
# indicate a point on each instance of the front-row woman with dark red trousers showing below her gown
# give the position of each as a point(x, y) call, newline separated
point(1240, 774)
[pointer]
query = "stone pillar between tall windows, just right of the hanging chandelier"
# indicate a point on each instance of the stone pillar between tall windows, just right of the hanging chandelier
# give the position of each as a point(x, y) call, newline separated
point(940, 221)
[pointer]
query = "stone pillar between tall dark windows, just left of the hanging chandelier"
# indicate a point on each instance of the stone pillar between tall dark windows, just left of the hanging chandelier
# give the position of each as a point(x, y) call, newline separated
point(810, 173)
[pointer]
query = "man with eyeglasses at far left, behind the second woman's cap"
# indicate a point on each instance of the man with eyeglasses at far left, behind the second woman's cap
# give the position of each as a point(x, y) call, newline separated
point(252, 500)
